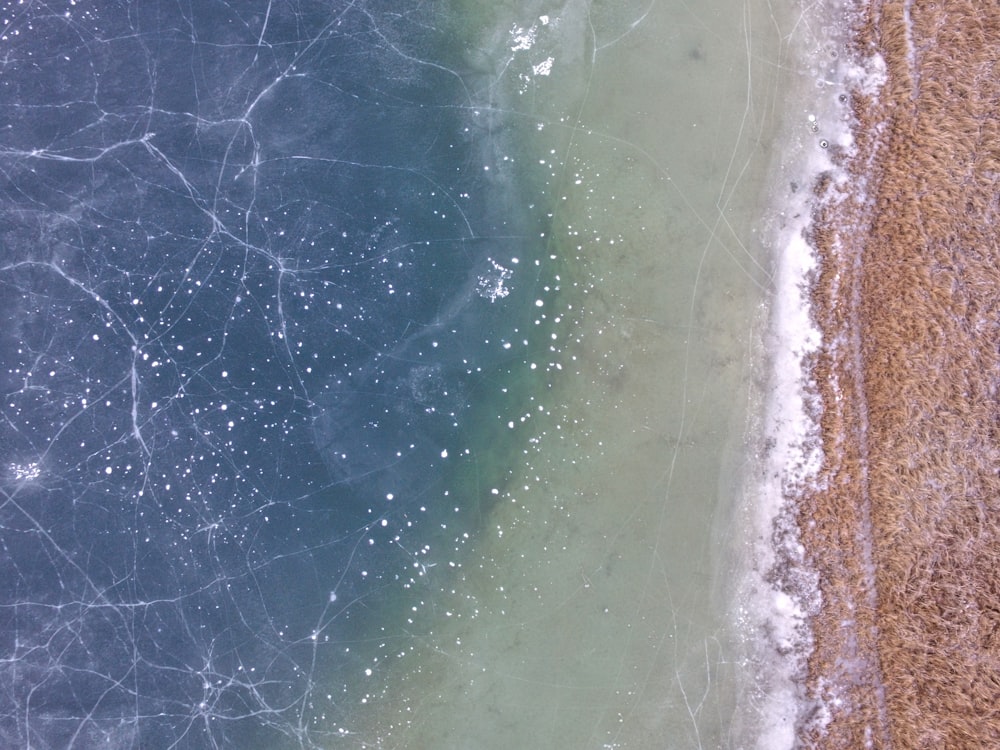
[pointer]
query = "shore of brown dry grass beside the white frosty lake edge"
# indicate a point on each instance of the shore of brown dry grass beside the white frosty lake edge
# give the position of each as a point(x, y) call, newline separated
point(906, 534)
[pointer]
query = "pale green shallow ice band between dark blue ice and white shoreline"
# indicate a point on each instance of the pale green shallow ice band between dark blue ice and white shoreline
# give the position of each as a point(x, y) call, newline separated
point(593, 612)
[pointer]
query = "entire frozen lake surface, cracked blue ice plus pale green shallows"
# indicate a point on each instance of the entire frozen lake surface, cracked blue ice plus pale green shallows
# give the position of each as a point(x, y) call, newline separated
point(385, 378)
